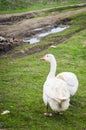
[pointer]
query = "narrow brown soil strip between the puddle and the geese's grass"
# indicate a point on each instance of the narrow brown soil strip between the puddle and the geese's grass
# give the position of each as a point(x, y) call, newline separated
point(36, 49)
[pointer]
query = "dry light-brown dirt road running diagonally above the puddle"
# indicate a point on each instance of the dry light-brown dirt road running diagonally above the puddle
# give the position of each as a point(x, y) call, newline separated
point(23, 27)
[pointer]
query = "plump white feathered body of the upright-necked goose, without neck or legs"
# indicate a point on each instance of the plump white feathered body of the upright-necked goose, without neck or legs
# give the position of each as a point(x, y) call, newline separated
point(56, 94)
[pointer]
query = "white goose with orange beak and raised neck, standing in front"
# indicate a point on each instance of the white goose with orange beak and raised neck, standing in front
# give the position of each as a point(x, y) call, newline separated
point(55, 90)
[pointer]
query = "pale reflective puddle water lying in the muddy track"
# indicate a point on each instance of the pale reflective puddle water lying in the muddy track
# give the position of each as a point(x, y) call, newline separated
point(41, 35)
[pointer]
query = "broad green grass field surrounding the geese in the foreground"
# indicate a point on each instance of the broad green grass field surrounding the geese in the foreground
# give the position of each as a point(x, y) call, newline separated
point(21, 84)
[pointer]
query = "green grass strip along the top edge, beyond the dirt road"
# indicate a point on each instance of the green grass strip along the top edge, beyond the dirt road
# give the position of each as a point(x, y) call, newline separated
point(16, 7)
